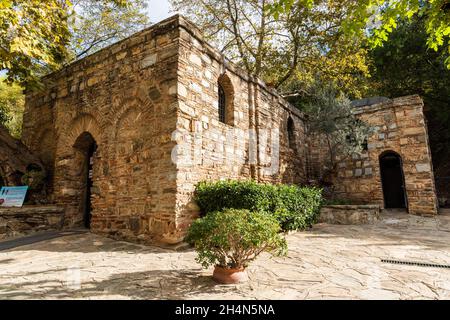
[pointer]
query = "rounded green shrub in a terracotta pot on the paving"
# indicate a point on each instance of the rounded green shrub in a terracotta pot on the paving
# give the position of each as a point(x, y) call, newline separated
point(231, 239)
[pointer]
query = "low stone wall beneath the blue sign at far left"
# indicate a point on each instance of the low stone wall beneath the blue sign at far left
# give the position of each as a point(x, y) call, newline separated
point(30, 219)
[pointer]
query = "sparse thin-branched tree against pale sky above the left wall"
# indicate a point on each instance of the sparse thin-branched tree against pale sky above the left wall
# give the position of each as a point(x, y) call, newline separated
point(96, 24)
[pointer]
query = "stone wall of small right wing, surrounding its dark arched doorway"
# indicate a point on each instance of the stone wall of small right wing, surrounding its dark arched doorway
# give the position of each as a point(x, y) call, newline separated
point(399, 126)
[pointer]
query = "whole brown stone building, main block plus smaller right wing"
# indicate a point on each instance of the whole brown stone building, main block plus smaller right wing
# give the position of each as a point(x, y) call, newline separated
point(127, 132)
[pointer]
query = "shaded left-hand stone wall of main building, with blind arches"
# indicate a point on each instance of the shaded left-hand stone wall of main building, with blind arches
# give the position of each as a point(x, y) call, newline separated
point(124, 96)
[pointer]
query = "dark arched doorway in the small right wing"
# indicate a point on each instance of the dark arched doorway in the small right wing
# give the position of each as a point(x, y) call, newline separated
point(393, 180)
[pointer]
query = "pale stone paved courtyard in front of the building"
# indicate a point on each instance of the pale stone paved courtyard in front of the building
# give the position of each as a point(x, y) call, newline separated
point(329, 262)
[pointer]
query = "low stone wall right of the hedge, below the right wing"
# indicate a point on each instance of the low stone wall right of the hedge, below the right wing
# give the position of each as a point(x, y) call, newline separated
point(350, 214)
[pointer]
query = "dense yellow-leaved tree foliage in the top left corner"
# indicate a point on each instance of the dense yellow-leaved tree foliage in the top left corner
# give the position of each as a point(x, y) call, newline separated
point(35, 34)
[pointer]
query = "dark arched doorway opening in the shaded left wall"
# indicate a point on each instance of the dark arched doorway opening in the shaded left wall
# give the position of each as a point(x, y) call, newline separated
point(86, 147)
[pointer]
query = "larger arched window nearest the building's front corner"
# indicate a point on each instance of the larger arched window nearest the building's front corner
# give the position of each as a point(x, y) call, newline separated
point(226, 100)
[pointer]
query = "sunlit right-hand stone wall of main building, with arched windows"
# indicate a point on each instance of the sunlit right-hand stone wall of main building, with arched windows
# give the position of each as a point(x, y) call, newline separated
point(251, 144)
